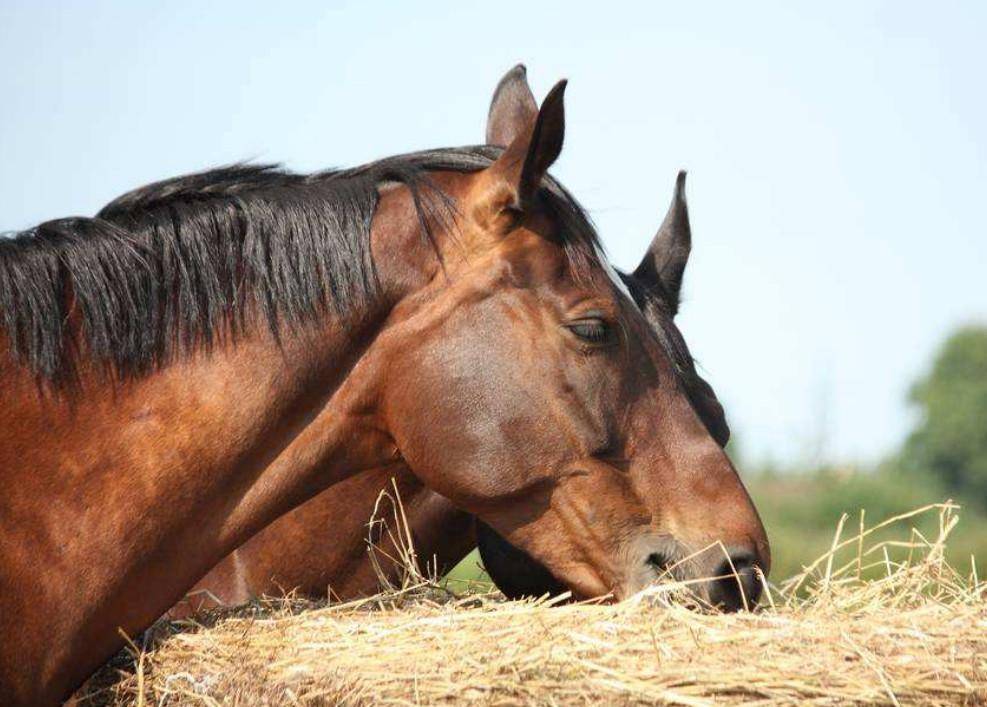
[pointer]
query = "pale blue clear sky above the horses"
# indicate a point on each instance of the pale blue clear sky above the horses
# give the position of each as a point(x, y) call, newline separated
point(837, 155)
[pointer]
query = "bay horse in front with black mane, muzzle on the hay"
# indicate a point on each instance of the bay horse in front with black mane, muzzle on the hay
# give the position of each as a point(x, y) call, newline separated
point(208, 354)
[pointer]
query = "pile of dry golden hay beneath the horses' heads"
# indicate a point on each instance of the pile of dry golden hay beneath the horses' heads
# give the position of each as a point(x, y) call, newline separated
point(871, 621)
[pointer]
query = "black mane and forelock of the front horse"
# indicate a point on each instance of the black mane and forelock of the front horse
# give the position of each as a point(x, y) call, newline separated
point(179, 264)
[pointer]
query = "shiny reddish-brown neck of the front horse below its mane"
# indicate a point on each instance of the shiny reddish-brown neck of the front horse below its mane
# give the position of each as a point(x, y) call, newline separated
point(119, 498)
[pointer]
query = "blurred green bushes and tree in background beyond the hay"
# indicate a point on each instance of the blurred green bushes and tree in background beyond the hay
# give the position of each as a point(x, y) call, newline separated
point(945, 457)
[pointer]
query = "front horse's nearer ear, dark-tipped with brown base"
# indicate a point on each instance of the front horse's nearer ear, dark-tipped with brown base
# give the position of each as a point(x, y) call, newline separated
point(514, 178)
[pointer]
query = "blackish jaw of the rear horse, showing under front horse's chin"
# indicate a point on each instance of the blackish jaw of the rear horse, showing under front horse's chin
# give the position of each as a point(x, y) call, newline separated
point(514, 572)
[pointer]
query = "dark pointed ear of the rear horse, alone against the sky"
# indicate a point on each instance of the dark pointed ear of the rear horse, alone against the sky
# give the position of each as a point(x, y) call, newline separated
point(663, 265)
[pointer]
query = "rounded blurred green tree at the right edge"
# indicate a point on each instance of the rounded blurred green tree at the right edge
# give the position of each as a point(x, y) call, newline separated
point(950, 440)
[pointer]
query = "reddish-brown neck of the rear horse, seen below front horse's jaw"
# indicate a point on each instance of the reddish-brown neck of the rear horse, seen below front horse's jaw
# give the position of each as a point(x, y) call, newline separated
point(324, 543)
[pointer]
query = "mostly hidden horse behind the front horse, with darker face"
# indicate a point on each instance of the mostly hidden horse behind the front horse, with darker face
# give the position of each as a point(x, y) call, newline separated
point(323, 544)
